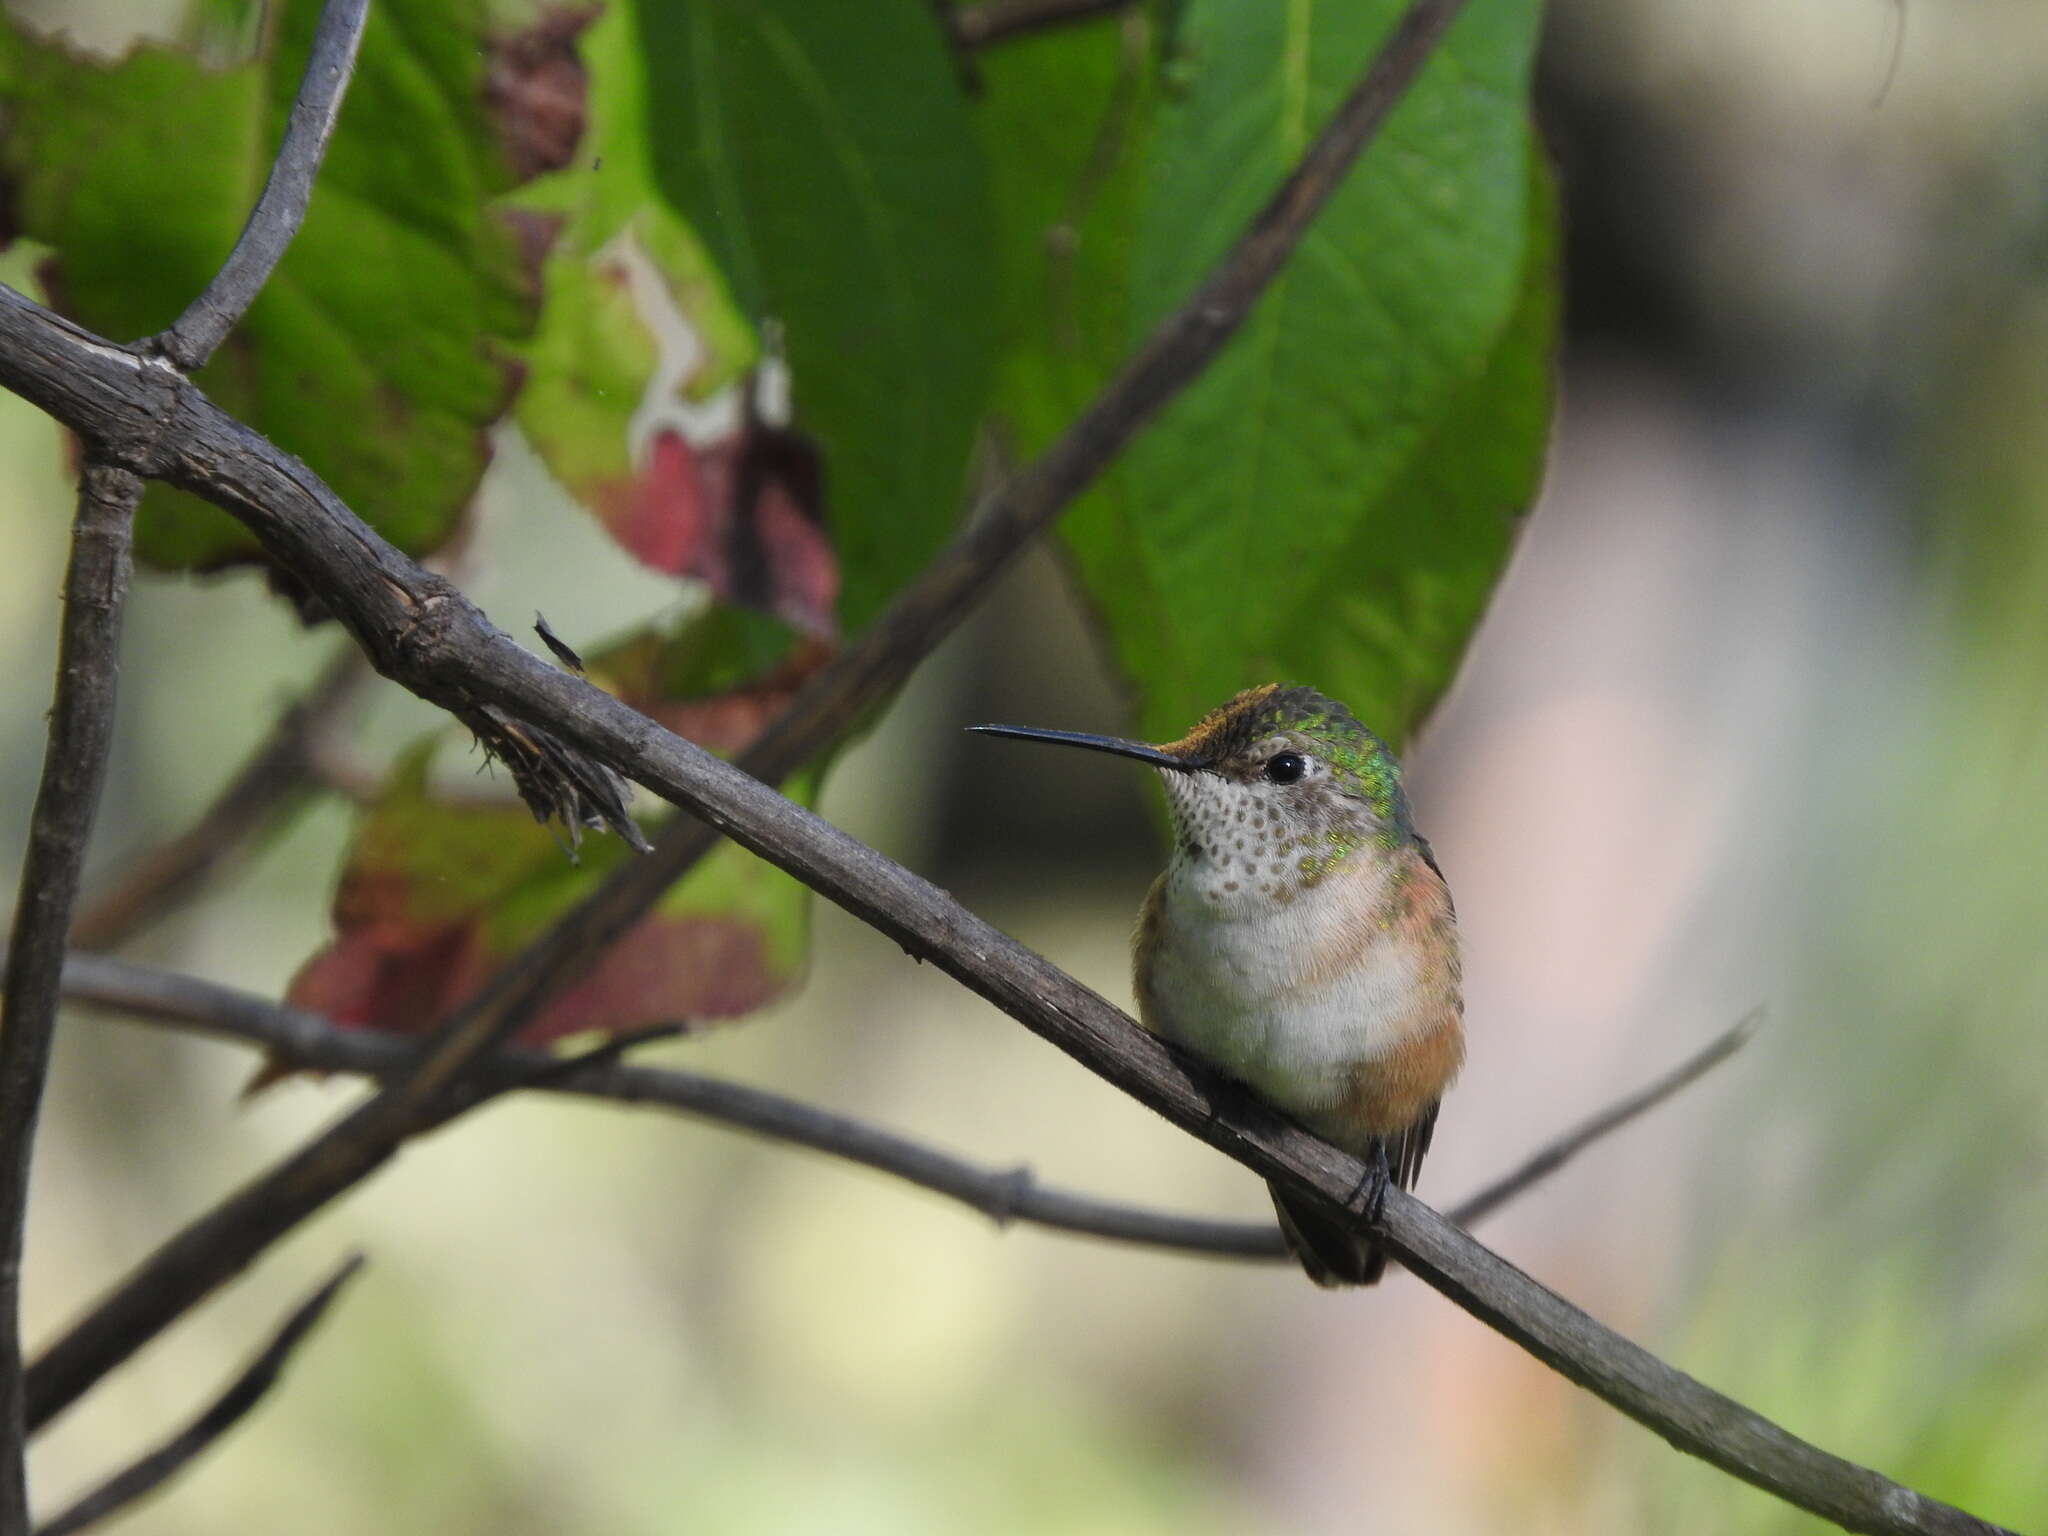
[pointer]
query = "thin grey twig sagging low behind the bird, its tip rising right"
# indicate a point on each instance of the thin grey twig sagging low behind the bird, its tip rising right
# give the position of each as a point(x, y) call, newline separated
point(1000, 1193)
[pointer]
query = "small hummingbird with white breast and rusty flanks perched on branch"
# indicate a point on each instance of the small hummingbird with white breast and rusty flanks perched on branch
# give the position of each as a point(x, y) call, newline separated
point(1302, 939)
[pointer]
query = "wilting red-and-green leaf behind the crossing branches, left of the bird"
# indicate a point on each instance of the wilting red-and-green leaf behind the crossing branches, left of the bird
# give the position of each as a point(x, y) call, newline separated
point(441, 888)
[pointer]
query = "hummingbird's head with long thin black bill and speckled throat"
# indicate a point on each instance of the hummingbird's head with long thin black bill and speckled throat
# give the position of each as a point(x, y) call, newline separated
point(1271, 792)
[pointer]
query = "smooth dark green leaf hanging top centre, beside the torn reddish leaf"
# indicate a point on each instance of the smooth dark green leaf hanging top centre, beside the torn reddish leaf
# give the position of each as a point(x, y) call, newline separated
point(824, 155)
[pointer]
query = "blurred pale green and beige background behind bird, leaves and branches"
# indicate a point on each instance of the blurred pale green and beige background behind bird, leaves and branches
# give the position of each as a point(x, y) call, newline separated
point(1760, 718)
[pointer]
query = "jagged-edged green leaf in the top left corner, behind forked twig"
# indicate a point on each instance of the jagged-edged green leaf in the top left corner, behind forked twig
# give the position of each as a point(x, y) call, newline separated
point(376, 351)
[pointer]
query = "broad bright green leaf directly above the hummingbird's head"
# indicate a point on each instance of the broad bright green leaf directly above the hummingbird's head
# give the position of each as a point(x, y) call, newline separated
point(1336, 497)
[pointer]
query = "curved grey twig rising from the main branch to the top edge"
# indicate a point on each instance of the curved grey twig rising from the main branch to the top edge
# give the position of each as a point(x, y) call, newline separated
point(286, 196)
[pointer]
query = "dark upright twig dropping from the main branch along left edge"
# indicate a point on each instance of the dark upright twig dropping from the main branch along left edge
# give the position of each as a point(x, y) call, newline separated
point(75, 769)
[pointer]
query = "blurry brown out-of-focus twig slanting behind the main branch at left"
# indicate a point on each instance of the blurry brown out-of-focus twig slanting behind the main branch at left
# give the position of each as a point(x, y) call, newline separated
point(275, 779)
